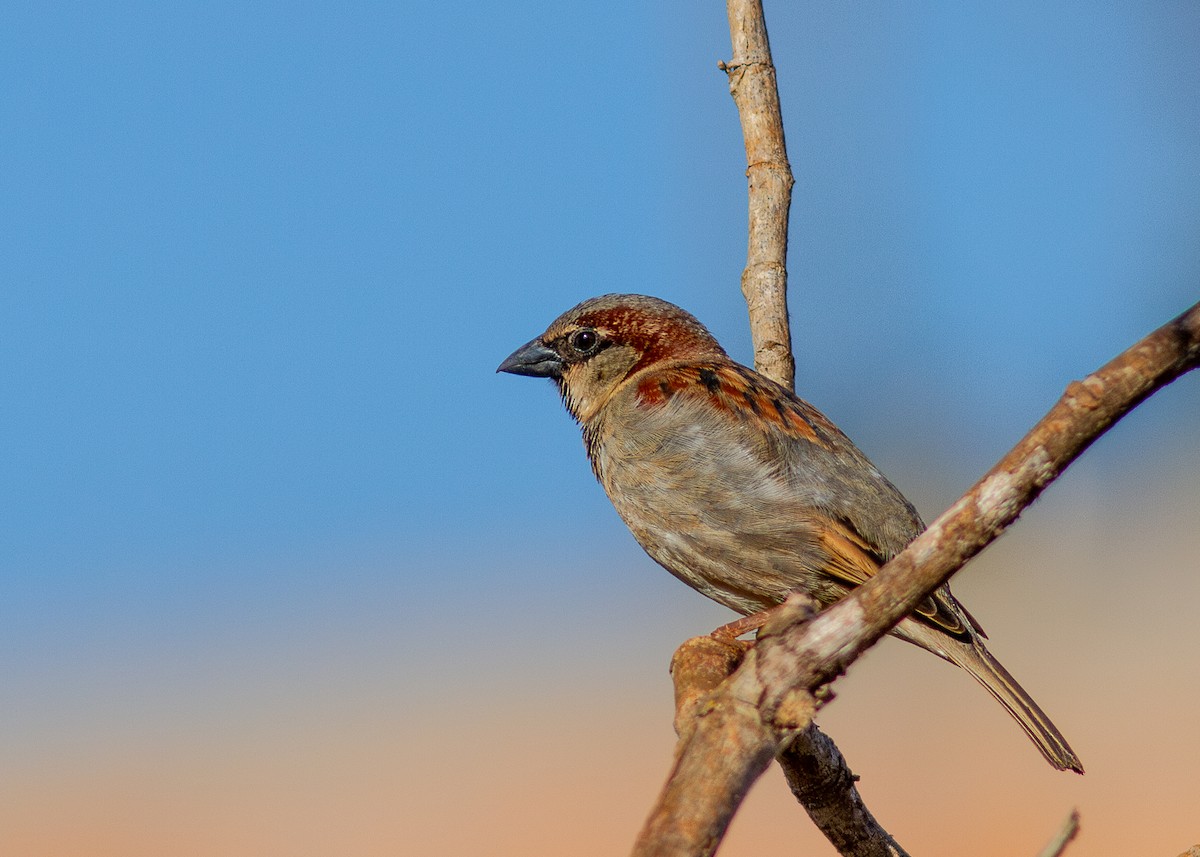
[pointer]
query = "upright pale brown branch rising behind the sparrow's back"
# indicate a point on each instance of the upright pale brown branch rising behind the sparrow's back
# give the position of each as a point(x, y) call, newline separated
point(765, 279)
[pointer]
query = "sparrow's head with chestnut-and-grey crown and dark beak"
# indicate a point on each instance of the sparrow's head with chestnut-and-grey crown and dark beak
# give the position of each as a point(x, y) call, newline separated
point(593, 349)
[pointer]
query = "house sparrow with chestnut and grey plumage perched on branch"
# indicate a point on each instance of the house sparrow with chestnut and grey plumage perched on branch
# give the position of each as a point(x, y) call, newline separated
point(739, 488)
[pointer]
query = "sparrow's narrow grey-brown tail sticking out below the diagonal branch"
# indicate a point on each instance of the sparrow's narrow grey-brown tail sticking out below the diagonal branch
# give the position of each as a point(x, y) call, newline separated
point(1000, 684)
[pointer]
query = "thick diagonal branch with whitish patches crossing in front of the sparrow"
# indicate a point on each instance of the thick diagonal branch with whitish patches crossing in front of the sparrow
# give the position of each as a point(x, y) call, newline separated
point(772, 697)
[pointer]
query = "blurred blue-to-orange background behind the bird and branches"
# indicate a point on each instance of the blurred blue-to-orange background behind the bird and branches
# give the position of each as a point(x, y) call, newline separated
point(286, 568)
